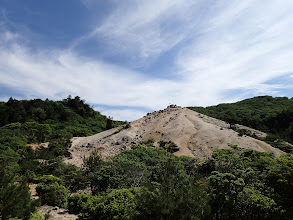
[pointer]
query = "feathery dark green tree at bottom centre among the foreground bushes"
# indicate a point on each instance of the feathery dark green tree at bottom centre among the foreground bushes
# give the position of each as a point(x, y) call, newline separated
point(175, 197)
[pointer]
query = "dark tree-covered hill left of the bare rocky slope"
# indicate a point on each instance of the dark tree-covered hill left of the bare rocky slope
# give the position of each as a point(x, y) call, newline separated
point(42, 120)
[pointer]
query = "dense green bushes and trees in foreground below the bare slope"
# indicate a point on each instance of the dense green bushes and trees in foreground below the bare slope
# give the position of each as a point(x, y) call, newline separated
point(151, 183)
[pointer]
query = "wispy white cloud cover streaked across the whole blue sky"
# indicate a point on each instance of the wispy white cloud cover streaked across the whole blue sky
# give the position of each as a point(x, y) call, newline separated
point(224, 46)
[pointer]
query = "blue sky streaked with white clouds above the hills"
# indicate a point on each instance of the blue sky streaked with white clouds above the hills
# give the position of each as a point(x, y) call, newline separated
point(127, 58)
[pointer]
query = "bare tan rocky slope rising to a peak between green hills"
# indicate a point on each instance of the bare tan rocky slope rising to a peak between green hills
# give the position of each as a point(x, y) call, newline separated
point(195, 134)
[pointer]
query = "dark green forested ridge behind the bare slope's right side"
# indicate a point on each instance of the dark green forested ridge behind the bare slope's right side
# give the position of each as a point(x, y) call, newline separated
point(265, 113)
